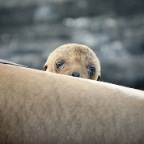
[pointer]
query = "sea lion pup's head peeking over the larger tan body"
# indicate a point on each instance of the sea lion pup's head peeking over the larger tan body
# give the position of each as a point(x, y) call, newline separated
point(74, 60)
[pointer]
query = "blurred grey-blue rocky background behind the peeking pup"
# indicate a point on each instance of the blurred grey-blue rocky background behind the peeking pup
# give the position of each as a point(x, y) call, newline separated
point(114, 29)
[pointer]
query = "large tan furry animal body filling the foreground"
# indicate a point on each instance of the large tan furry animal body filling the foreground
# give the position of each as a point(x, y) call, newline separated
point(37, 107)
